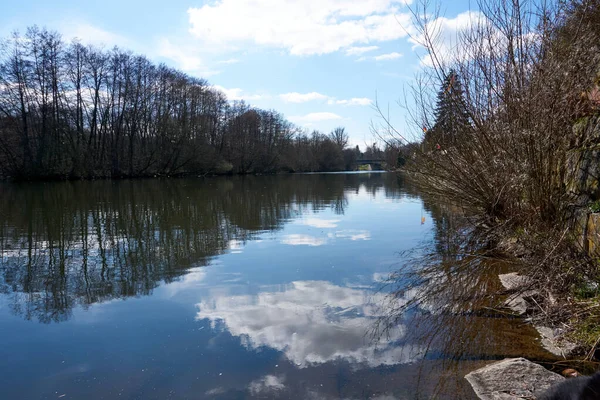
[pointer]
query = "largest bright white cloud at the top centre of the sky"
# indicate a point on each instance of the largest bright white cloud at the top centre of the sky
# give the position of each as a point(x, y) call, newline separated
point(302, 27)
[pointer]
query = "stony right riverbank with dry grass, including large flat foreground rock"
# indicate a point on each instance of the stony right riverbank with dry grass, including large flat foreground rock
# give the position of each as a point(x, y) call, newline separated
point(558, 317)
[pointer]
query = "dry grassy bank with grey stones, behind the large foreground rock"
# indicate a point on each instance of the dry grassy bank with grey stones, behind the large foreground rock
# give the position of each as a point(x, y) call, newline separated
point(555, 288)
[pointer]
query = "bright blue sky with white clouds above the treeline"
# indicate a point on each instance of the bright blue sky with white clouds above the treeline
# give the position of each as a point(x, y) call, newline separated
point(322, 63)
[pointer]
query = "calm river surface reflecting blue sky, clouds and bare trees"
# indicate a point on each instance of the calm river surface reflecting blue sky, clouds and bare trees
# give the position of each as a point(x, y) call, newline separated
point(224, 288)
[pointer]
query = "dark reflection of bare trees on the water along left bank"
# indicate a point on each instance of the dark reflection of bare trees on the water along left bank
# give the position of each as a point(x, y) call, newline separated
point(70, 244)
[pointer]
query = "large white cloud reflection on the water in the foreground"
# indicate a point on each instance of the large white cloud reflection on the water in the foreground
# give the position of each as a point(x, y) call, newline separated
point(310, 322)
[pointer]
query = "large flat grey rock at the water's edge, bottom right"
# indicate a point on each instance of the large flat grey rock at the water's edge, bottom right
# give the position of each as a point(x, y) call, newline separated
point(512, 379)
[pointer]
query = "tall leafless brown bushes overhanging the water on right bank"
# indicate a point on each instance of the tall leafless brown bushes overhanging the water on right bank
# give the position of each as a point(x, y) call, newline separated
point(503, 102)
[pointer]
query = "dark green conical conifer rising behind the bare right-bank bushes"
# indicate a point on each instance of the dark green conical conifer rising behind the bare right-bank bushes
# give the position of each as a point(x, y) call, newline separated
point(451, 118)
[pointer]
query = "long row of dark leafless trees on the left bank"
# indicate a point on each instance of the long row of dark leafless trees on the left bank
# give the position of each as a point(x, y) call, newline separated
point(74, 111)
